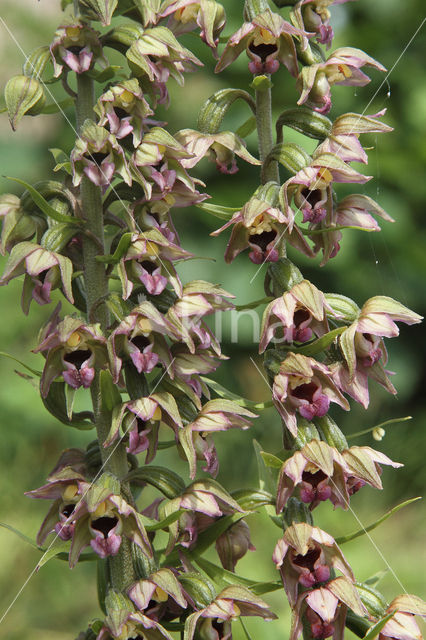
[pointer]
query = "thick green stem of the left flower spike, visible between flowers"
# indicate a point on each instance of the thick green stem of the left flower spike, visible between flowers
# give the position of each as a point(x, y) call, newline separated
point(96, 284)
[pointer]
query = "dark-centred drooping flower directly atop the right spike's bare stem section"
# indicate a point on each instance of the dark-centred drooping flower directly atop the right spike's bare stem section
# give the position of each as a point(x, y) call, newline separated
point(268, 41)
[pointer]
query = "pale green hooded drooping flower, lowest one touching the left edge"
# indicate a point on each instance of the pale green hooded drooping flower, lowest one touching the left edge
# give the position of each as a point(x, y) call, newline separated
point(45, 270)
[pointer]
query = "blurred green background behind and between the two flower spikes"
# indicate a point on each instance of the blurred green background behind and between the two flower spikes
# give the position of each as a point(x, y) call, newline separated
point(55, 604)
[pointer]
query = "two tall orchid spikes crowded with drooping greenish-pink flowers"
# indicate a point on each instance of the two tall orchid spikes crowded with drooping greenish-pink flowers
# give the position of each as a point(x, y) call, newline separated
point(139, 338)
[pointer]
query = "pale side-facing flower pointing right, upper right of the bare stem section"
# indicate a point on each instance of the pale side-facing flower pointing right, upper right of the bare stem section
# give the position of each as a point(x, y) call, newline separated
point(342, 67)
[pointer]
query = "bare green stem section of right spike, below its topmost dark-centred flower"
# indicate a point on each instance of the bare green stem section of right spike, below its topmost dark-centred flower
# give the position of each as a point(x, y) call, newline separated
point(264, 132)
